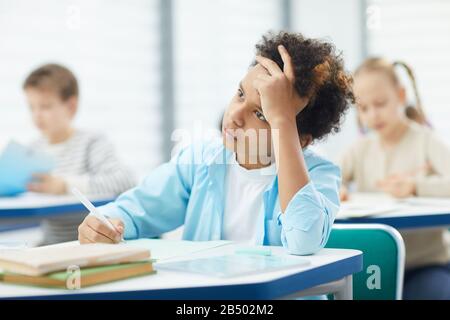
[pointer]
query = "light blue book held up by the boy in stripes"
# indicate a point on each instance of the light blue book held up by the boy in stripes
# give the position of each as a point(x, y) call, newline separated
point(17, 166)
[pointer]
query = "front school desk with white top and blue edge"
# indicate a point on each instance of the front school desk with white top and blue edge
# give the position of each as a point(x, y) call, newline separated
point(329, 271)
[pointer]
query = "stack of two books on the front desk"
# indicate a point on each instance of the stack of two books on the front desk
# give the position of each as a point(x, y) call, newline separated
point(73, 266)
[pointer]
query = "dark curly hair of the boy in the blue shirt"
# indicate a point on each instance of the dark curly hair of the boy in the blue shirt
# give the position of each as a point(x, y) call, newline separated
point(319, 75)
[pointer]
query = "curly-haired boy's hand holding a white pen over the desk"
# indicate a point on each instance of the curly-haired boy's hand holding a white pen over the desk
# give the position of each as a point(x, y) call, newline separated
point(92, 230)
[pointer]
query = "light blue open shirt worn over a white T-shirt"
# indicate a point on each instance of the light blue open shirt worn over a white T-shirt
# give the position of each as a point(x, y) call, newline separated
point(189, 191)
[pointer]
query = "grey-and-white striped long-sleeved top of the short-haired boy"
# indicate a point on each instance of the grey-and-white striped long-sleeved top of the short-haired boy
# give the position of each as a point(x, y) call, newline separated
point(88, 162)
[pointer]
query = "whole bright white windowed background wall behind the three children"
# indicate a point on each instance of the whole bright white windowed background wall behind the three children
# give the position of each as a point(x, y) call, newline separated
point(149, 67)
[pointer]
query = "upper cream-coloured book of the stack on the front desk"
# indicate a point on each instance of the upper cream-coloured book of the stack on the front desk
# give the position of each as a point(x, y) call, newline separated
point(42, 260)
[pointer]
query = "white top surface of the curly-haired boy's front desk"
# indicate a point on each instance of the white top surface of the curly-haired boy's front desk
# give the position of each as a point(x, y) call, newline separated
point(170, 280)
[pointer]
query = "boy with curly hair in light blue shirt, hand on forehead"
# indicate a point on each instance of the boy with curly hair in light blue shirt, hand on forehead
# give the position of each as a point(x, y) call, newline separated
point(238, 189)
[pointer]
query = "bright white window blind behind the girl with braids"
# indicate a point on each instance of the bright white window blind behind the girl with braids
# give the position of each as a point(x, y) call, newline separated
point(418, 33)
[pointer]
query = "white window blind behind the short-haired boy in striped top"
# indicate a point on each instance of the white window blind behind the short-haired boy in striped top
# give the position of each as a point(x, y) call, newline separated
point(111, 46)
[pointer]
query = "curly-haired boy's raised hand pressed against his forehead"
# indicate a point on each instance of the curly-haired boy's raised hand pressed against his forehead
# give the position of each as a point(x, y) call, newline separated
point(279, 99)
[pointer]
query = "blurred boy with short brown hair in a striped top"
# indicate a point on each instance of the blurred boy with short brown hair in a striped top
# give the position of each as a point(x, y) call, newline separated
point(83, 160)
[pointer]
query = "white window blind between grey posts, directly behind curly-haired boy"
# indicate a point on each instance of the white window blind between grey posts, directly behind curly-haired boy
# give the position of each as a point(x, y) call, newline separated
point(213, 47)
